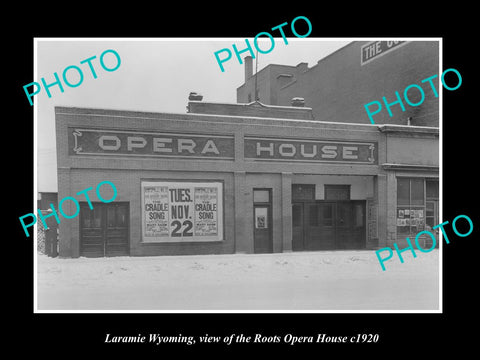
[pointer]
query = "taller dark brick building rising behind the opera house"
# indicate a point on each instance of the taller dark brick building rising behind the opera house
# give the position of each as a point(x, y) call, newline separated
point(339, 85)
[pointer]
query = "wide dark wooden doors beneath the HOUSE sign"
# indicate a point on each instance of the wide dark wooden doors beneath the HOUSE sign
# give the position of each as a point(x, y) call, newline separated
point(328, 225)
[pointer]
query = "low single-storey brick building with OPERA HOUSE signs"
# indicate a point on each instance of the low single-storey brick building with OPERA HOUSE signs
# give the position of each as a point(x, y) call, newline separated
point(241, 178)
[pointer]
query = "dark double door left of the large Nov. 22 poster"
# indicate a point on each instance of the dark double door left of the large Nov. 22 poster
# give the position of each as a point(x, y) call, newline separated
point(104, 229)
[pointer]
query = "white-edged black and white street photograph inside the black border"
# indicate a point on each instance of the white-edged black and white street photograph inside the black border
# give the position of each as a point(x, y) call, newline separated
point(258, 183)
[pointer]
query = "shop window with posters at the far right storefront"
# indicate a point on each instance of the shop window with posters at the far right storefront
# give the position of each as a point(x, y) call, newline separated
point(410, 205)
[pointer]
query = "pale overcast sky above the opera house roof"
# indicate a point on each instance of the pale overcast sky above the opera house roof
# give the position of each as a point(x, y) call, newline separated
point(155, 75)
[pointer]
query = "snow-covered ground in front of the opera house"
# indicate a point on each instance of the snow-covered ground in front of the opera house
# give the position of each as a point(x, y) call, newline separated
point(327, 280)
